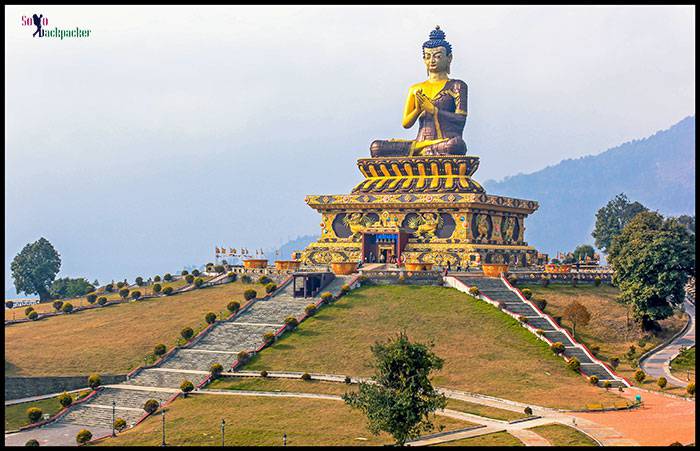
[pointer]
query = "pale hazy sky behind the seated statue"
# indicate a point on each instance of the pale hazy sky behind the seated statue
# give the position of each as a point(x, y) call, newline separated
point(171, 129)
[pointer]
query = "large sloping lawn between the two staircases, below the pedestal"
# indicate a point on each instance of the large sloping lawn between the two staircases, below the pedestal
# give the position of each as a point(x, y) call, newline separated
point(485, 350)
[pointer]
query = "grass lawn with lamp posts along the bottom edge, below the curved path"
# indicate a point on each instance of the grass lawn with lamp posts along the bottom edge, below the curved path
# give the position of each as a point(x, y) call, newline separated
point(259, 421)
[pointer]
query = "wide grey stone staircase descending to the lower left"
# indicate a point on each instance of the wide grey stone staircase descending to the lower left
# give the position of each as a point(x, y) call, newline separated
point(221, 344)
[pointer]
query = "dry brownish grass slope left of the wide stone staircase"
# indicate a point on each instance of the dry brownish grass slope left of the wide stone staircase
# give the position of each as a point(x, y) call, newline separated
point(112, 339)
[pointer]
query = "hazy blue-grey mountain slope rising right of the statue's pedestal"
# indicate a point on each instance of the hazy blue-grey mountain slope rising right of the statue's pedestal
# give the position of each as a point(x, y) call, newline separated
point(658, 171)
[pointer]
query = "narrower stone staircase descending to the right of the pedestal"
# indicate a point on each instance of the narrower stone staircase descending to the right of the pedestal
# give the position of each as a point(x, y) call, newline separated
point(496, 290)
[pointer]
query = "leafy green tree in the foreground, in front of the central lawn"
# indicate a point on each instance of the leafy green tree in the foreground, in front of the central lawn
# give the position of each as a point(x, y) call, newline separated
point(401, 398)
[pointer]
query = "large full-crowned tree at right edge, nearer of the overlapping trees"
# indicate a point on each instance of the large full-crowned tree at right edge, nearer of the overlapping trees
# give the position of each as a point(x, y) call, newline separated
point(652, 258)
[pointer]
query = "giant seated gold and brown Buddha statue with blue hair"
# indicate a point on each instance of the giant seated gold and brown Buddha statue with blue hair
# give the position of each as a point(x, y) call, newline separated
point(439, 104)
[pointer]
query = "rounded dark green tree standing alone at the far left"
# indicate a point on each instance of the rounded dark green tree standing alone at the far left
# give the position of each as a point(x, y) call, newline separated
point(35, 268)
